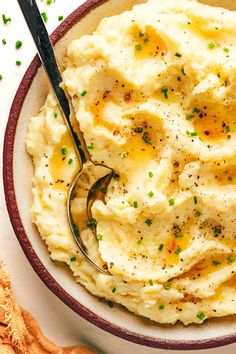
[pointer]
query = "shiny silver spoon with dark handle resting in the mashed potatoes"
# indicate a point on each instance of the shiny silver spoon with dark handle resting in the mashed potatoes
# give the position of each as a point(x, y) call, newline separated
point(96, 191)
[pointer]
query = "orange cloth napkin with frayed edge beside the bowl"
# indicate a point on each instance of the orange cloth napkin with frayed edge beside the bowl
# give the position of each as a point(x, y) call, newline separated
point(19, 332)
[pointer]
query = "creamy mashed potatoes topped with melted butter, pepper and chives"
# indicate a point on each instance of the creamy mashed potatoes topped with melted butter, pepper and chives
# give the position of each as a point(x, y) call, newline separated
point(154, 90)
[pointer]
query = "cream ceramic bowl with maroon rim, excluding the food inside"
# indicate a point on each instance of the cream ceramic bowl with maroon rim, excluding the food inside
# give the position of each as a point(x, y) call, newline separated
point(18, 172)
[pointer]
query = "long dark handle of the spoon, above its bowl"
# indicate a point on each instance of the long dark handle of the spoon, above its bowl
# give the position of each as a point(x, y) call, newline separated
point(46, 53)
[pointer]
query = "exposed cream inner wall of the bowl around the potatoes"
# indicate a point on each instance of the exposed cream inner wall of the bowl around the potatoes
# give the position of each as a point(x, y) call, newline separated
point(22, 178)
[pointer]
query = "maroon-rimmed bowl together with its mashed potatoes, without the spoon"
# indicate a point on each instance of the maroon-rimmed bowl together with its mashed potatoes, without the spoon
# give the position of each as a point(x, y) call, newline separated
point(152, 85)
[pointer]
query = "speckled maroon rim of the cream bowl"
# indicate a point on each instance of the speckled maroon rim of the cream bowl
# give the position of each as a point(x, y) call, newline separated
point(21, 235)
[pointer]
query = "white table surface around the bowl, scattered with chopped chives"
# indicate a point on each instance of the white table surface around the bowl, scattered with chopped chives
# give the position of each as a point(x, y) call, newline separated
point(60, 323)
